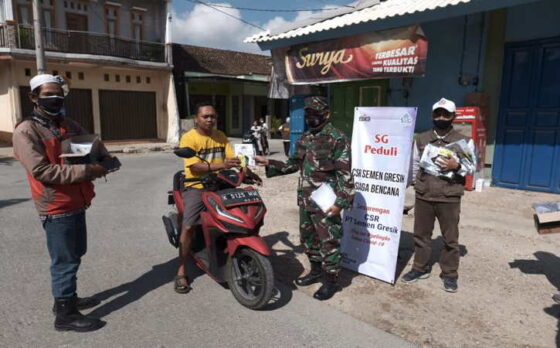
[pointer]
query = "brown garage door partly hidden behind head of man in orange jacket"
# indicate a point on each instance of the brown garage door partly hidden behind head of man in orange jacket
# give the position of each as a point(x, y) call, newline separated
point(77, 103)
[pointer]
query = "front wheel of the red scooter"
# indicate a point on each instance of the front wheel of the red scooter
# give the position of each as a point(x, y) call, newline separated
point(250, 278)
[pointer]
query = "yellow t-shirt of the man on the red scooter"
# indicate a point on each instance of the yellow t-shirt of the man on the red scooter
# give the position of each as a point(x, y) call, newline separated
point(214, 149)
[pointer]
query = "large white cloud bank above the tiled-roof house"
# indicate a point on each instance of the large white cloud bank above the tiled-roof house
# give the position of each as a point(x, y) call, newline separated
point(206, 27)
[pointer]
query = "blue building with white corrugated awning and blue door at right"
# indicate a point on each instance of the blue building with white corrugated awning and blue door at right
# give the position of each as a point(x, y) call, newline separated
point(503, 56)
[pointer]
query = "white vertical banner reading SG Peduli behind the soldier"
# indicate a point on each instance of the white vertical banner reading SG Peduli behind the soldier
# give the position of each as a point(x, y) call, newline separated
point(381, 148)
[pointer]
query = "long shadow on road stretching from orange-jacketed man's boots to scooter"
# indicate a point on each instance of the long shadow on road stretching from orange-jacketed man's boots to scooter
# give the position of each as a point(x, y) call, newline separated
point(132, 291)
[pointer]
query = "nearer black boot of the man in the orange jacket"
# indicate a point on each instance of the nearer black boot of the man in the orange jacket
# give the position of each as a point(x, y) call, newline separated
point(68, 318)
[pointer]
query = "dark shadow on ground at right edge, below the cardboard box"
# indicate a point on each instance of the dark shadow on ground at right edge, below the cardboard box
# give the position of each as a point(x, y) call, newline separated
point(548, 265)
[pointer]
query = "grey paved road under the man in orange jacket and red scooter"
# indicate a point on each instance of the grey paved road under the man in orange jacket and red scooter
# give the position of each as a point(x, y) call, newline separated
point(130, 265)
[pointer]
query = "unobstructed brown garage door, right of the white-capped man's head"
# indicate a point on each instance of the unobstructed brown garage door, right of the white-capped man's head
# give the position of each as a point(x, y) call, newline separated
point(127, 115)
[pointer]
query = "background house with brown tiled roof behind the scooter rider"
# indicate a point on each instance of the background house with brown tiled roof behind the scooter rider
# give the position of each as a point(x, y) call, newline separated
point(236, 83)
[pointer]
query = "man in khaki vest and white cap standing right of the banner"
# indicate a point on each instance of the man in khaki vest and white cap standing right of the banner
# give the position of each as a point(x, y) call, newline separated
point(438, 197)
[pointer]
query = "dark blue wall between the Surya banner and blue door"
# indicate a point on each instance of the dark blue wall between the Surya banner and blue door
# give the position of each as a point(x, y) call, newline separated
point(519, 23)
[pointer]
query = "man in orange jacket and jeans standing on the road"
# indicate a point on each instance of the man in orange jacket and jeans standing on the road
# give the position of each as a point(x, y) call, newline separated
point(61, 194)
